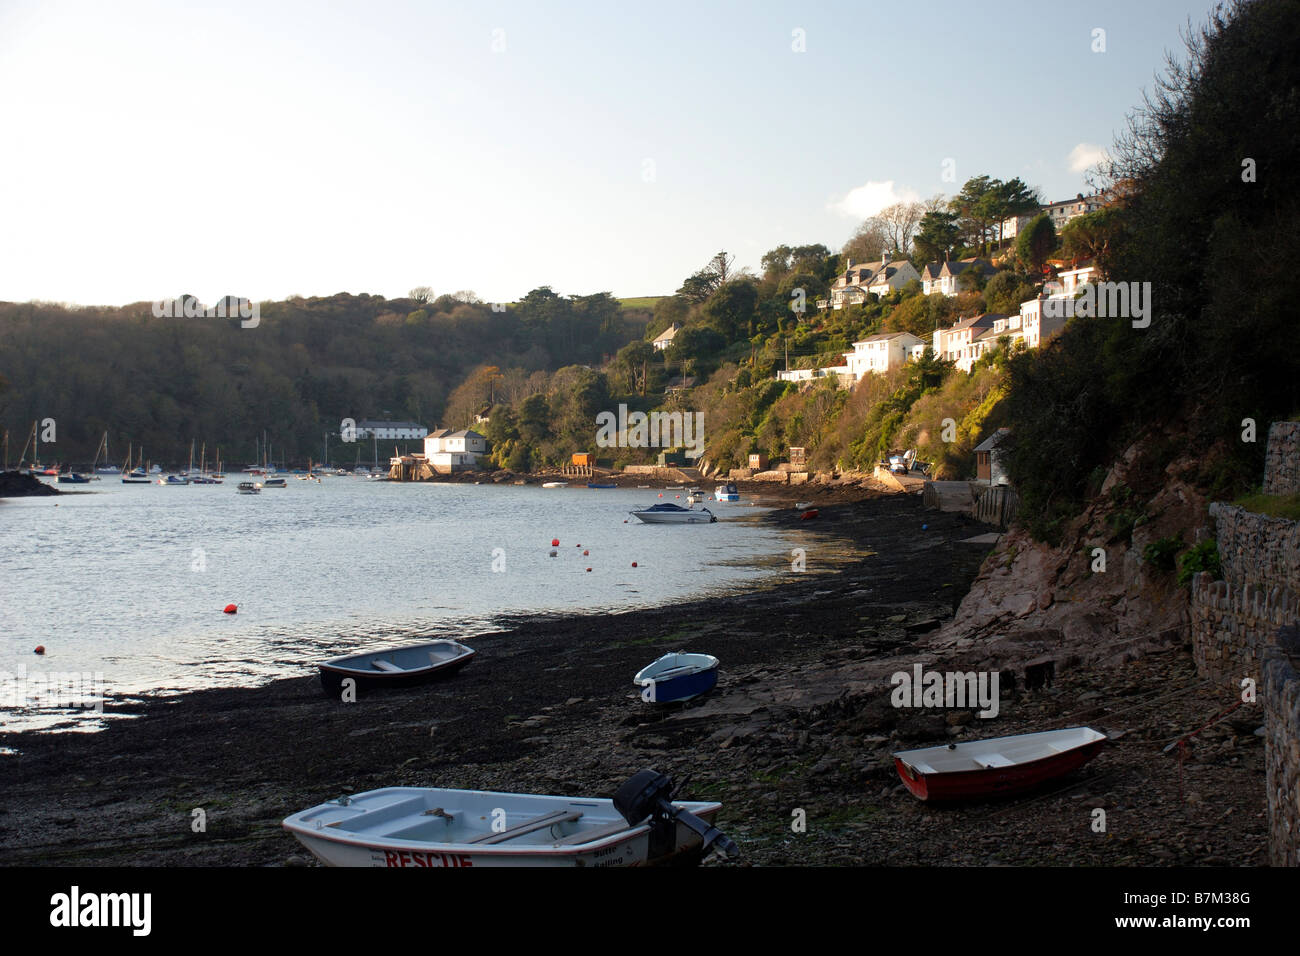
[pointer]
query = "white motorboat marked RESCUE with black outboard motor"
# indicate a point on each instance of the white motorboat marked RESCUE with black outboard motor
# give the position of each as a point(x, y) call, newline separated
point(435, 828)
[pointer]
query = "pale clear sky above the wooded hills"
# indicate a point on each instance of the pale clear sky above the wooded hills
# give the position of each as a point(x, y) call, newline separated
point(283, 149)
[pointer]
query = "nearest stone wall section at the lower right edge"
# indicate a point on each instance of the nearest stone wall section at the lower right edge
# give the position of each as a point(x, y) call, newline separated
point(1281, 695)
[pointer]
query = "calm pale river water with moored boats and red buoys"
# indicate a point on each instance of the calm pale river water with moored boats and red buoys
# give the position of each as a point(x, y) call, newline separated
point(129, 581)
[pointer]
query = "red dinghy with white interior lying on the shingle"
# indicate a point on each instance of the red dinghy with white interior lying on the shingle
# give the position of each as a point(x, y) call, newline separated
point(998, 767)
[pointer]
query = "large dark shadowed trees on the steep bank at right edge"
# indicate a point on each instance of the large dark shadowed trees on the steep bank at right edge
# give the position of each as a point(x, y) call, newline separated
point(1214, 181)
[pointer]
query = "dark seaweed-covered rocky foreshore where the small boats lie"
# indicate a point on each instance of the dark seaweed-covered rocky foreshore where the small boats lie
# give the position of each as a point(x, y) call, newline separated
point(800, 721)
